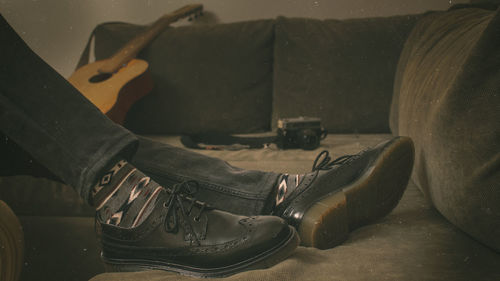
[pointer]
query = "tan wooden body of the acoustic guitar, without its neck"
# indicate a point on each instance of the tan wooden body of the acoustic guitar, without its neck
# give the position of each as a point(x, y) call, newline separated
point(115, 93)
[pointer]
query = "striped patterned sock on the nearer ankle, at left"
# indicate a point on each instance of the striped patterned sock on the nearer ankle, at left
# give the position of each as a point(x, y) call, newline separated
point(124, 196)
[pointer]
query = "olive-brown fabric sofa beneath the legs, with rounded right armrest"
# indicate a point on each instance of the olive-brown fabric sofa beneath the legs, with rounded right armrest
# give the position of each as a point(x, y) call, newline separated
point(433, 77)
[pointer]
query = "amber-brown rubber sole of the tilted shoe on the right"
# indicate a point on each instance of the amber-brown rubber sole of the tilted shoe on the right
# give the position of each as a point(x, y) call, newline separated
point(376, 193)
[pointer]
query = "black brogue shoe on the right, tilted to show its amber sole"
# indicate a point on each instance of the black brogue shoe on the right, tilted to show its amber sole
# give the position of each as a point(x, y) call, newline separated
point(346, 193)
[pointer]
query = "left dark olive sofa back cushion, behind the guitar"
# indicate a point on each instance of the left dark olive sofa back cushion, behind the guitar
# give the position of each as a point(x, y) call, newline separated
point(206, 77)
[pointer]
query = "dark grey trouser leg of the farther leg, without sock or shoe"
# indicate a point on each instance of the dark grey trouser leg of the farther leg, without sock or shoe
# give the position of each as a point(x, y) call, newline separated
point(227, 187)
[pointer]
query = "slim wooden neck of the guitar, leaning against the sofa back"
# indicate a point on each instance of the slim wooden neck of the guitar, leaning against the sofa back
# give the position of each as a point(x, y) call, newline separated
point(133, 47)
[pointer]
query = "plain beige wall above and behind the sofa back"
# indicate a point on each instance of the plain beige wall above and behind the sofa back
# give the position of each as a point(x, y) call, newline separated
point(58, 30)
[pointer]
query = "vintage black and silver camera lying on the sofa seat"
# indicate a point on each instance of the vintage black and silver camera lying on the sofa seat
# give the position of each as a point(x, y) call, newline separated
point(301, 132)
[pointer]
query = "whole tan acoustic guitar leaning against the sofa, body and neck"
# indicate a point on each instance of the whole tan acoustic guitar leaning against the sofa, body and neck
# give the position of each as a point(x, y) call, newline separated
point(115, 84)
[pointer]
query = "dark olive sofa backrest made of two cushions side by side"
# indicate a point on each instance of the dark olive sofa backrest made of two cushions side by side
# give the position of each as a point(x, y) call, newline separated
point(242, 77)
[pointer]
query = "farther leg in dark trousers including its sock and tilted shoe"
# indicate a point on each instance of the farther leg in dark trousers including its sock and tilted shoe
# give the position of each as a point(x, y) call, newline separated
point(336, 197)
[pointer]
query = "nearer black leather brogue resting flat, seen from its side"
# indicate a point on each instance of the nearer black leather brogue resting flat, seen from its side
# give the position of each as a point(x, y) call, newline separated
point(186, 236)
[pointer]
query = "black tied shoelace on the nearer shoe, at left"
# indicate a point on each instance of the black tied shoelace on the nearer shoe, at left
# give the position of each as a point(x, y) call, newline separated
point(178, 194)
